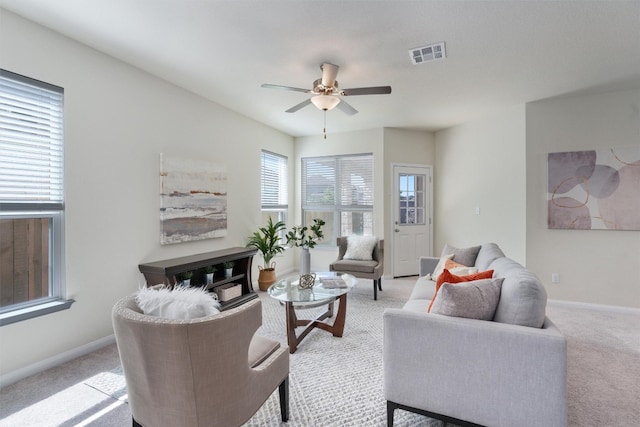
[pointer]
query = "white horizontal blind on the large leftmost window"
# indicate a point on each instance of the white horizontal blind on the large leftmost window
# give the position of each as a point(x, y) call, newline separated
point(31, 145)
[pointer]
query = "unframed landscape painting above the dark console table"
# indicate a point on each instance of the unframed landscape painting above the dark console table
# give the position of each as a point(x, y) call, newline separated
point(193, 200)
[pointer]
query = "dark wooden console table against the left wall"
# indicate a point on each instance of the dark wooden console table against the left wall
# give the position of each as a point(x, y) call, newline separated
point(165, 272)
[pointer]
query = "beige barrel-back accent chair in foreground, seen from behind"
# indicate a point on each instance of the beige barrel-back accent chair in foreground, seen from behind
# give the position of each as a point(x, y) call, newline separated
point(209, 371)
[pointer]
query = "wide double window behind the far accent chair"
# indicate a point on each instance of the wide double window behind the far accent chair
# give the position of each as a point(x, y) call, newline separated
point(342, 203)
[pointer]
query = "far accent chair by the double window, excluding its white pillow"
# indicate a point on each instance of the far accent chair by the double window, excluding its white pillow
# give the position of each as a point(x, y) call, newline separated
point(372, 269)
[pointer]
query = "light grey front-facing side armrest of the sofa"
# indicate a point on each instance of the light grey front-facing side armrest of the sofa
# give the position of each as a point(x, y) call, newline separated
point(485, 372)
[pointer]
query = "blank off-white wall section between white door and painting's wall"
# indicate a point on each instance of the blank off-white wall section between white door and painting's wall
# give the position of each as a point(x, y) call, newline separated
point(482, 164)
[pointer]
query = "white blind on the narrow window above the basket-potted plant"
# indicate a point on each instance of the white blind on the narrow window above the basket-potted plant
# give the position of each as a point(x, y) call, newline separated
point(274, 180)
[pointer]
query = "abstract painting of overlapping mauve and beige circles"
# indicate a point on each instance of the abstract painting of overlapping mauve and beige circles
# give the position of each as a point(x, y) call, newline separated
point(594, 189)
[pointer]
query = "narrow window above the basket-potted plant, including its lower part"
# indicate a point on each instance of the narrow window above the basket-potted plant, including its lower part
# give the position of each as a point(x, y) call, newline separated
point(274, 194)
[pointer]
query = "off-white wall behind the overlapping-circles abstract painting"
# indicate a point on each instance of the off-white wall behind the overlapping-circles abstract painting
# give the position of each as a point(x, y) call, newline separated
point(595, 266)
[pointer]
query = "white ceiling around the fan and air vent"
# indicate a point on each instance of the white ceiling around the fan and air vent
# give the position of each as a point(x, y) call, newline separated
point(499, 53)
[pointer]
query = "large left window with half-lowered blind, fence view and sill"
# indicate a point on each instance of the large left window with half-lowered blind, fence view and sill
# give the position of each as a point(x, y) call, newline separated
point(31, 198)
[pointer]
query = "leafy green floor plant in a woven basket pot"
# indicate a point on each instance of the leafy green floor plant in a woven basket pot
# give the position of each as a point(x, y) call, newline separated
point(267, 241)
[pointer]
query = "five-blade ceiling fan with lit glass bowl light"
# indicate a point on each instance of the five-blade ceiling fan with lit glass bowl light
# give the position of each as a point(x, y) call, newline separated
point(327, 93)
